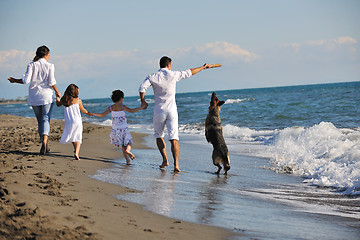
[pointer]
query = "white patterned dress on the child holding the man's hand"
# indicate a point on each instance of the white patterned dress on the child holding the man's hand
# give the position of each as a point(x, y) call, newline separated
point(120, 134)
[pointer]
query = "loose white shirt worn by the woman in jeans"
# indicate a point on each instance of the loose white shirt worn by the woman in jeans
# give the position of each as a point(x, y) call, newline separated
point(40, 75)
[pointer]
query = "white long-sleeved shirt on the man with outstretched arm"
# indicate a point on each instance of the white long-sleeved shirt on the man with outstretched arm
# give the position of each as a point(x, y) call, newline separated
point(164, 86)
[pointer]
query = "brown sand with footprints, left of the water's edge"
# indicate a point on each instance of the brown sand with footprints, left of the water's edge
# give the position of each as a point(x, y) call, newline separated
point(53, 197)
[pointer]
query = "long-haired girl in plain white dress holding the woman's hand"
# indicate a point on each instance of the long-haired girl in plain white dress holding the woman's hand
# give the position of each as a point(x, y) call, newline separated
point(73, 123)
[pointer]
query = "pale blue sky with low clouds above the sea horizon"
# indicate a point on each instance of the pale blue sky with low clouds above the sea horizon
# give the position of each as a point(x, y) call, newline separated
point(113, 44)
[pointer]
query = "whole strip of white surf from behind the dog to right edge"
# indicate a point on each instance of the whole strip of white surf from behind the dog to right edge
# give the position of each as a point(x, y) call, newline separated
point(325, 155)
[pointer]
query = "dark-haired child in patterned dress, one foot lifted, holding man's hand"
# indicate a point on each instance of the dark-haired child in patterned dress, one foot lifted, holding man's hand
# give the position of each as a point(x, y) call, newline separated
point(120, 134)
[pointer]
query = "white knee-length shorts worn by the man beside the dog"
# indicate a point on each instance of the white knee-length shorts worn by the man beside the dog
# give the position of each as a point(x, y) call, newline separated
point(168, 119)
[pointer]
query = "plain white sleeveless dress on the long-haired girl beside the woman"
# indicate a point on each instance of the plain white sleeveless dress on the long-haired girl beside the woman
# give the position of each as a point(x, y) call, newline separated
point(73, 124)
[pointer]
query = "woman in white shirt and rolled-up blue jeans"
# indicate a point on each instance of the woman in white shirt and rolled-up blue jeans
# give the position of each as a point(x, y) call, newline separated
point(40, 75)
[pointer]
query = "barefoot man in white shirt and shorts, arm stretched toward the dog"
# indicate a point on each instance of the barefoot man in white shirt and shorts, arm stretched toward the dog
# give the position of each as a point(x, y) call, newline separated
point(165, 110)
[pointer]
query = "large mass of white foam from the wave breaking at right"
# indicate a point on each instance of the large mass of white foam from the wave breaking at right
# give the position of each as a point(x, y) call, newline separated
point(325, 155)
